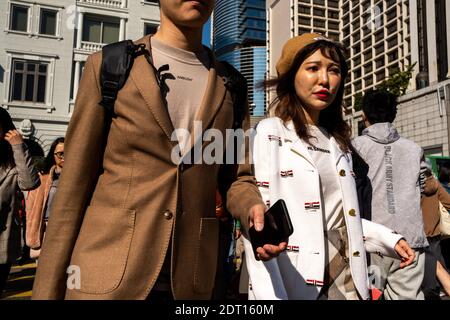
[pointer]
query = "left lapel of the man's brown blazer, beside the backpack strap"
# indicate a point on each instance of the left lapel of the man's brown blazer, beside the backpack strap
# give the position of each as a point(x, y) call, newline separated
point(144, 78)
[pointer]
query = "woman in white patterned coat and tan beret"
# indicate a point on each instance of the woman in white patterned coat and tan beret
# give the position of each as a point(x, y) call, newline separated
point(302, 155)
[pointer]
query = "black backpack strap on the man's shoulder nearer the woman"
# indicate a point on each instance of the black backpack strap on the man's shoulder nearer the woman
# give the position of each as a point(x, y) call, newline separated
point(237, 84)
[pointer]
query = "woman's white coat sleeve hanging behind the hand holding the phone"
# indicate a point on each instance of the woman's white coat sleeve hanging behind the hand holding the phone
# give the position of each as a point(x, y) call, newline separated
point(265, 277)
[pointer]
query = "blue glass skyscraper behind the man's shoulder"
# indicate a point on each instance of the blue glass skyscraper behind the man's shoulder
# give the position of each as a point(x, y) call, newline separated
point(239, 37)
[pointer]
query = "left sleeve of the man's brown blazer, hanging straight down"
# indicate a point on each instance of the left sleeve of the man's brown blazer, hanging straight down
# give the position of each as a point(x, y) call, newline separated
point(83, 149)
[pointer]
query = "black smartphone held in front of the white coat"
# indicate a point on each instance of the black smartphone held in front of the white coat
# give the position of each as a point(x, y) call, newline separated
point(277, 227)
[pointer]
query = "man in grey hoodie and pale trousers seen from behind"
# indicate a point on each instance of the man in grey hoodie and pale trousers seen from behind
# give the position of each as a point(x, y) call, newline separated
point(394, 168)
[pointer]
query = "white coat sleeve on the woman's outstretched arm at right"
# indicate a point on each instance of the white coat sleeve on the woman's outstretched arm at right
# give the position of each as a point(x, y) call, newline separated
point(380, 239)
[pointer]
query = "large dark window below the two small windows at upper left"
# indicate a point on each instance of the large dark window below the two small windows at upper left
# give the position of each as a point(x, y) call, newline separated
point(28, 81)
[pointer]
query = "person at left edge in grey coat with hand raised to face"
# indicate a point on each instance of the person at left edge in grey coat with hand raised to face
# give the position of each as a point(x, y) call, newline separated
point(17, 174)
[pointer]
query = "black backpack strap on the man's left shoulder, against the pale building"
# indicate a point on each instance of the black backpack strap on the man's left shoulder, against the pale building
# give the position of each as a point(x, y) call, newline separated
point(117, 62)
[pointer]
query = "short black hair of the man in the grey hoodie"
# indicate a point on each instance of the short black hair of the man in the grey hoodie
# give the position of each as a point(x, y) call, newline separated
point(379, 106)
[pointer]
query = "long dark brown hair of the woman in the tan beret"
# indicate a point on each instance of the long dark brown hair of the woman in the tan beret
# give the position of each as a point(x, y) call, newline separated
point(288, 106)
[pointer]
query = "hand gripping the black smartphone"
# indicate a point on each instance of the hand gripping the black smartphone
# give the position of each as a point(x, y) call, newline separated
point(268, 251)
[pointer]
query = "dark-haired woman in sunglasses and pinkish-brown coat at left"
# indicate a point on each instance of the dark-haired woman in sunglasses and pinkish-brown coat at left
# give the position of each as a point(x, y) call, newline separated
point(39, 201)
